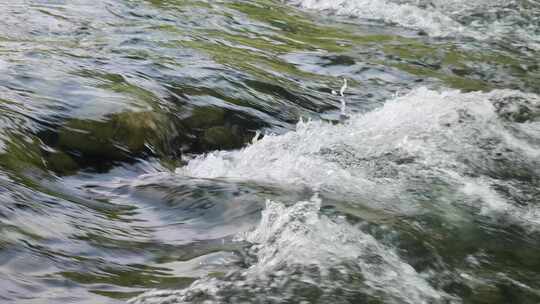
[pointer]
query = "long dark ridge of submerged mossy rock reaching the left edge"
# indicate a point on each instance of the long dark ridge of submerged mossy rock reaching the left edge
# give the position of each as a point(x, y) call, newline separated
point(66, 145)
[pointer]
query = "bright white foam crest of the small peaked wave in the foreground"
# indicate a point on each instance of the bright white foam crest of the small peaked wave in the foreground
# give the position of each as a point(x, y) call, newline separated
point(299, 235)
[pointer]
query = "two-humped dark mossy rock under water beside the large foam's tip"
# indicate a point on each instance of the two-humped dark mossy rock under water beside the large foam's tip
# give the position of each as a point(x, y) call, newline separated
point(127, 136)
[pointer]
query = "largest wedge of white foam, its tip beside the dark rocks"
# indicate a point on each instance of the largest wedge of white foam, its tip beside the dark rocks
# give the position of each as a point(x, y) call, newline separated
point(378, 155)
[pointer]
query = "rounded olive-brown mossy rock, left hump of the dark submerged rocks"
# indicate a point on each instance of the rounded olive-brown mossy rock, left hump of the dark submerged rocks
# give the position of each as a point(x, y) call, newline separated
point(120, 137)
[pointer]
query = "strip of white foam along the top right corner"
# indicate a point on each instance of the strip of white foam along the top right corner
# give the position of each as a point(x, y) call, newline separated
point(442, 18)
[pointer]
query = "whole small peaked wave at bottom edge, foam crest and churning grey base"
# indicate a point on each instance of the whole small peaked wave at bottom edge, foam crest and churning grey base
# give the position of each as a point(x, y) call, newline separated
point(295, 248)
